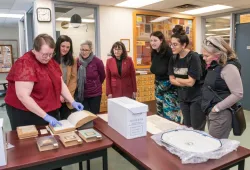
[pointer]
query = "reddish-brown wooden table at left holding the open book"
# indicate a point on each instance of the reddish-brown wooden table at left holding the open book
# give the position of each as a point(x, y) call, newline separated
point(25, 154)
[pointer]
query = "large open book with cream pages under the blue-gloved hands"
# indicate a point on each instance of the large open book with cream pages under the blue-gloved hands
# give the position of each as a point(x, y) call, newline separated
point(75, 120)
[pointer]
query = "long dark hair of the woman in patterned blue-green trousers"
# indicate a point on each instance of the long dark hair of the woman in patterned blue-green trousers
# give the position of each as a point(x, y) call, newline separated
point(164, 45)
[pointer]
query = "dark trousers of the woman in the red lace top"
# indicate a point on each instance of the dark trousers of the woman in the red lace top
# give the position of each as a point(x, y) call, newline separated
point(22, 118)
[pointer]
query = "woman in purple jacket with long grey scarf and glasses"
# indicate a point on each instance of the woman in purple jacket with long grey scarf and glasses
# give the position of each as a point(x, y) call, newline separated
point(91, 75)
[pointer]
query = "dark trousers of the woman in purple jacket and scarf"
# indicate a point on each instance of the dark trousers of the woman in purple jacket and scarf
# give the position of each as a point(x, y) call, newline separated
point(92, 104)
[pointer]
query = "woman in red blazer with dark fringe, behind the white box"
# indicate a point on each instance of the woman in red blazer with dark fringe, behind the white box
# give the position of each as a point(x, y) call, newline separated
point(120, 73)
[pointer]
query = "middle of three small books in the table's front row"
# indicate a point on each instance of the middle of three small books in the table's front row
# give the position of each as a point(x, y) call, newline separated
point(70, 139)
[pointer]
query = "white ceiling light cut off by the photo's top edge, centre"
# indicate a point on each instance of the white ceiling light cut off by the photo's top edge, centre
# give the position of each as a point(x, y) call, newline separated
point(136, 3)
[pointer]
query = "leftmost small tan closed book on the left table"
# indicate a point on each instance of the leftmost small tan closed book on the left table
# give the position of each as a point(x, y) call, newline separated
point(29, 131)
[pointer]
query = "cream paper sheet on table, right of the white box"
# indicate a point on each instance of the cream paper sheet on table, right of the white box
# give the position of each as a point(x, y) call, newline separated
point(157, 124)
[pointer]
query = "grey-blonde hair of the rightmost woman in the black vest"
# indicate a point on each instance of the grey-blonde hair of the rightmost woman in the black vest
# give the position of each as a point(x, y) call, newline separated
point(225, 53)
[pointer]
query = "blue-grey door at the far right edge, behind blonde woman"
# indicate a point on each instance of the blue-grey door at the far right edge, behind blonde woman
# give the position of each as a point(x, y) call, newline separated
point(242, 48)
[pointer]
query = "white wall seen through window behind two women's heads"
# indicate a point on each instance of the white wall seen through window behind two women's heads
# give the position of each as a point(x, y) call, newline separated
point(78, 35)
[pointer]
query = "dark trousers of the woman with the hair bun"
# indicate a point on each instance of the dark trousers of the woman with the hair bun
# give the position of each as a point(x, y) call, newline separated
point(192, 114)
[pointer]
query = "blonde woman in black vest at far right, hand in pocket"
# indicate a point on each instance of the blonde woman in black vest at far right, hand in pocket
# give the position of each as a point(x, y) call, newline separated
point(223, 78)
